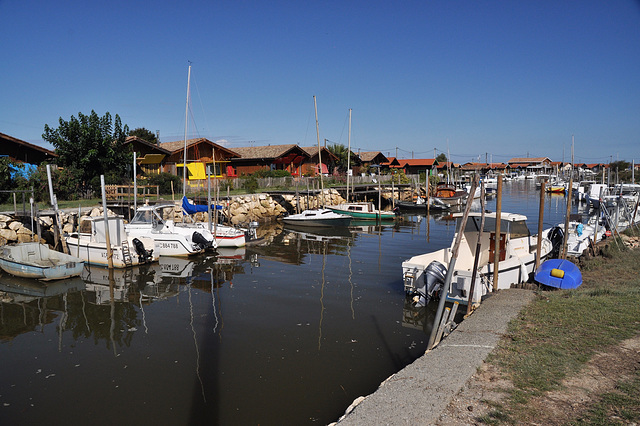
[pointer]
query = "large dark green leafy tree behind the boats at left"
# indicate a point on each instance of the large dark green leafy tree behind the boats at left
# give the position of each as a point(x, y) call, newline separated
point(90, 146)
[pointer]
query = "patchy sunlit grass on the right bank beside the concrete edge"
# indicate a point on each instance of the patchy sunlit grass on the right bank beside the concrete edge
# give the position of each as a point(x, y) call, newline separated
point(558, 333)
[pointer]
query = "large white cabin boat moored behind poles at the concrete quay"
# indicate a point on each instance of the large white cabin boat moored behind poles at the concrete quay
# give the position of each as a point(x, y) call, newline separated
point(424, 274)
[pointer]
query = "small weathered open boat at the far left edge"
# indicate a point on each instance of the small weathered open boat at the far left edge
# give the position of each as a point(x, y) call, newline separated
point(35, 260)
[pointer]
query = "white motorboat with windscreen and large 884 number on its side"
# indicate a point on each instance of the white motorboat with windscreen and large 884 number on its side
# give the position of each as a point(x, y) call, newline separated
point(170, 240)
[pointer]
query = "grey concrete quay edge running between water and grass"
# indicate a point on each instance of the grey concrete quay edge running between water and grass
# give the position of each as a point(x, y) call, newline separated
point(419, 393)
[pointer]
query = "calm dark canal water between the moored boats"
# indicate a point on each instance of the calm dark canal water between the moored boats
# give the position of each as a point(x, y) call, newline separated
point(285, 333)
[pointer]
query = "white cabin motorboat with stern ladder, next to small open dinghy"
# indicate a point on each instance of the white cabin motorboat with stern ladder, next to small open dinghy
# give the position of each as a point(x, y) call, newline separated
point(89, 243)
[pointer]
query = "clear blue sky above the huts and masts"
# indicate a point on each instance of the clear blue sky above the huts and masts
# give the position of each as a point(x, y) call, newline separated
point(496, 79)
